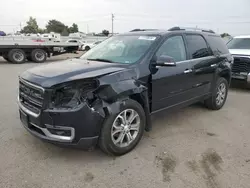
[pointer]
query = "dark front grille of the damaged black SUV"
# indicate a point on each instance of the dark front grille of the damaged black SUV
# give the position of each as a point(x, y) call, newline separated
point(31, 96)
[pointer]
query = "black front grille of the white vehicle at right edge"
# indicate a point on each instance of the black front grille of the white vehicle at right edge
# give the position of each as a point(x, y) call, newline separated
point(241, 64)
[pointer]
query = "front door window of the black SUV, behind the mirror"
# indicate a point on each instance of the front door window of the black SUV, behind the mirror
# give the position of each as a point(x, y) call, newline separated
point(173, 47)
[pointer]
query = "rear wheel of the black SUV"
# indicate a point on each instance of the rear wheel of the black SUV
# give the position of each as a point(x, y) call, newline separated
point(219, 95)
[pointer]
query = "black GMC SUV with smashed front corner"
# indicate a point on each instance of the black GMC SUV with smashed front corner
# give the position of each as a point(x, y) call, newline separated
point(106, 96)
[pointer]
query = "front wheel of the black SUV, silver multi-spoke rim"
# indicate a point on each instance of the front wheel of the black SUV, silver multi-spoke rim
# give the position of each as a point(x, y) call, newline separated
point(123, 130)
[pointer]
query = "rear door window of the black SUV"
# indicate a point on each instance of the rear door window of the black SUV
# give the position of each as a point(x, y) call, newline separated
point(197, 46)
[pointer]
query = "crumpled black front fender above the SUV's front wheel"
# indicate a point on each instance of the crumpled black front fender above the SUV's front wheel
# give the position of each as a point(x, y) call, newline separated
point(114, 95)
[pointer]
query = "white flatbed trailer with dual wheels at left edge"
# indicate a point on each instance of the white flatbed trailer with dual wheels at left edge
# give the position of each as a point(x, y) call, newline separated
point(36, 51)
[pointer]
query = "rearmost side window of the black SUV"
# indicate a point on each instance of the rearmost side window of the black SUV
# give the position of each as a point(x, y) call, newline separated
point(218, 45)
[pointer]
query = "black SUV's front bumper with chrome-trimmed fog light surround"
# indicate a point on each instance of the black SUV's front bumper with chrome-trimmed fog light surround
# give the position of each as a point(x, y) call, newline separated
point(75, 128)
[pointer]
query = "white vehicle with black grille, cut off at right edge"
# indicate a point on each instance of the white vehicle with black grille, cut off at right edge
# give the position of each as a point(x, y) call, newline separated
point(239, 47)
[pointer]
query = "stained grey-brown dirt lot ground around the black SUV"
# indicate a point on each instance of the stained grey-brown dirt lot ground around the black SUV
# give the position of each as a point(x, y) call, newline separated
point(192, 148)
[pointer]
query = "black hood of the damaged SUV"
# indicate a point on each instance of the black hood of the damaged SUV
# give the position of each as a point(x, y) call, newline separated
point(73, 69)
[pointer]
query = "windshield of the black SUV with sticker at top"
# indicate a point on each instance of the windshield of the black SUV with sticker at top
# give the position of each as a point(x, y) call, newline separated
point(121, 49)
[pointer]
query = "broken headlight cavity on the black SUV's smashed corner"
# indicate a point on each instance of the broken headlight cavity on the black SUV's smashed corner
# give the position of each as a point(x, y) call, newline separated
point(72, 96)
